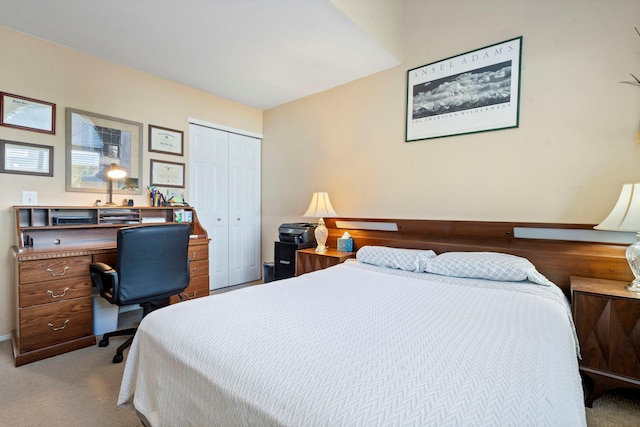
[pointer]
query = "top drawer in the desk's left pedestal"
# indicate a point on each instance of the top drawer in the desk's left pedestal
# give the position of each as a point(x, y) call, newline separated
point(53, 269)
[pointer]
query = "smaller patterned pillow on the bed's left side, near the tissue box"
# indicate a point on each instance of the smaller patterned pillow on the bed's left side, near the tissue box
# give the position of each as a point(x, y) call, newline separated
point(403, 259)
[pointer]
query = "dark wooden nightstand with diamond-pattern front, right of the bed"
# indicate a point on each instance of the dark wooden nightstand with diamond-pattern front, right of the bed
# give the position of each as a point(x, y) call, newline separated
point(607, 319)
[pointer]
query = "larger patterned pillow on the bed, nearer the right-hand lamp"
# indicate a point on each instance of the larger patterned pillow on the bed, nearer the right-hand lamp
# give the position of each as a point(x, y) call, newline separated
point(485, 265)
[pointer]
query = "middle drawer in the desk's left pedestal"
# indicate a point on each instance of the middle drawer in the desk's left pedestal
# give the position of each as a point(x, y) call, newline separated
point(54, 291)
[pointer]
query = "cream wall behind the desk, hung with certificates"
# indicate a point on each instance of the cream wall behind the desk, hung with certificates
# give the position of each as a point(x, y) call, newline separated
point(37, 69)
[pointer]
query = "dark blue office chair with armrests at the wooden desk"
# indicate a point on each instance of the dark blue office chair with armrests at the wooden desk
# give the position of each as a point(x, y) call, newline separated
point(152, 265)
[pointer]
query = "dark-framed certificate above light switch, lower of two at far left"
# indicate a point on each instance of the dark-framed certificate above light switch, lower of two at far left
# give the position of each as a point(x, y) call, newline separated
point(26, 159)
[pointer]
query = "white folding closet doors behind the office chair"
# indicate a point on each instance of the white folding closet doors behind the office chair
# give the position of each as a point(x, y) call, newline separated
point(224, 186)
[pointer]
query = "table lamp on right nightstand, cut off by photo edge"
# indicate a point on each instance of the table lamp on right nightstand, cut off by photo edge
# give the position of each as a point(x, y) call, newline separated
point(625, 216)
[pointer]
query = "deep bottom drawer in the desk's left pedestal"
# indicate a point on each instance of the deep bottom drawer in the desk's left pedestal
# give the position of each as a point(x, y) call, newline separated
point(49, 324)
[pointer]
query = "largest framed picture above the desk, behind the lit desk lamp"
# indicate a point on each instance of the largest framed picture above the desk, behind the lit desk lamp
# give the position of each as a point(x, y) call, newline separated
point(94, 143)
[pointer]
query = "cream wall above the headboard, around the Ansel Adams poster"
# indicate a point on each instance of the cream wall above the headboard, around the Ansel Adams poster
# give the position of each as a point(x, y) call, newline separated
point(577, 141)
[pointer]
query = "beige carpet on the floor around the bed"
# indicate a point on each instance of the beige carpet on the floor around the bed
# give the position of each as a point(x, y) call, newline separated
point(81, 389)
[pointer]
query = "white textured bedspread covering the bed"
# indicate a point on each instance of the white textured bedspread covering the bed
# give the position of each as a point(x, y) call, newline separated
point(352, 346)
